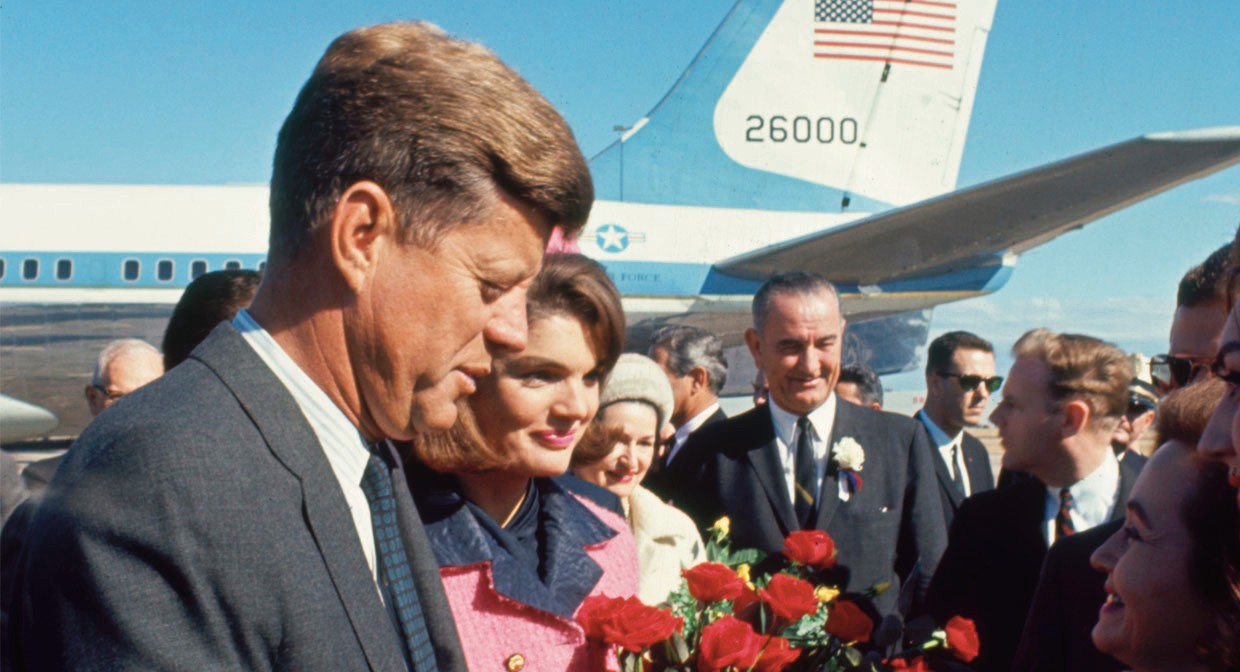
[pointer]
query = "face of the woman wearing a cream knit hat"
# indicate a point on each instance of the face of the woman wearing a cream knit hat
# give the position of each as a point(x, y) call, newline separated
point(634, 432)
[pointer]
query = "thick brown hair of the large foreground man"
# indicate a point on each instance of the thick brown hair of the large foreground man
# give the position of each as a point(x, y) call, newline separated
point(438, 123)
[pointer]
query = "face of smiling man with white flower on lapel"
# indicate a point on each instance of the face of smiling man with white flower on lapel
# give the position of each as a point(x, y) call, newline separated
point(799, 349)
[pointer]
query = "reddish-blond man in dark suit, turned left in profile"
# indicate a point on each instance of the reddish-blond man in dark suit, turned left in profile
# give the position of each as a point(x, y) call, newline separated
point(1062, 402)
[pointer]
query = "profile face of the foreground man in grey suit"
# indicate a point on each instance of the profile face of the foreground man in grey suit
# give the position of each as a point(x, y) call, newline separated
point(430, 322)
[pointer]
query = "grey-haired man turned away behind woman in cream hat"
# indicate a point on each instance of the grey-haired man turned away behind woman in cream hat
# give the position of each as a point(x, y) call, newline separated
point(694, 361)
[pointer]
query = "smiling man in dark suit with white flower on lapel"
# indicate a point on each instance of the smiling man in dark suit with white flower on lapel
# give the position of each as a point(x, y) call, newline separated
point(810, 462)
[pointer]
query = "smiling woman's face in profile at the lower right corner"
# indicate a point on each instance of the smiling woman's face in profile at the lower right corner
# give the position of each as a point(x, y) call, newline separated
point(1154, 616)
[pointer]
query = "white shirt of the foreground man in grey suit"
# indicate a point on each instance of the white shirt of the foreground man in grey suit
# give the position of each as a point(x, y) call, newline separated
point(339, 440)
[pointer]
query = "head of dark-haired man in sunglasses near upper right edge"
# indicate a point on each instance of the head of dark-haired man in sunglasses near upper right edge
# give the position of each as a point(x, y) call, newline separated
point(1201, 312)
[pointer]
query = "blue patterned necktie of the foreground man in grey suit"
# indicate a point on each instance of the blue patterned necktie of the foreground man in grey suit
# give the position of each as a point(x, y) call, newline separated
point(394, 567)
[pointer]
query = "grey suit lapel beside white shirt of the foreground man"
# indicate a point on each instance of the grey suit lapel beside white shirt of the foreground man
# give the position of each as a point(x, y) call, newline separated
point(294, 444)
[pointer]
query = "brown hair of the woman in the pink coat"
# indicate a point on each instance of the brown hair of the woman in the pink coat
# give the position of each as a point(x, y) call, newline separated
point(571, 286)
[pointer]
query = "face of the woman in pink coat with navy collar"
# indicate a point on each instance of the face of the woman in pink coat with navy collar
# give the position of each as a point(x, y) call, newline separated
point(536, 404)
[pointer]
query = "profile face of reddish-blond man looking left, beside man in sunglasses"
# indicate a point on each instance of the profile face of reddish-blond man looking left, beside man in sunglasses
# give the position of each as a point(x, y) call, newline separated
point(1027, 418)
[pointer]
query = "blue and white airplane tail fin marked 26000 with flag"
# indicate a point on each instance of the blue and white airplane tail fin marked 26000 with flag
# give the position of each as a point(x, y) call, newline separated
point(812, 106)
